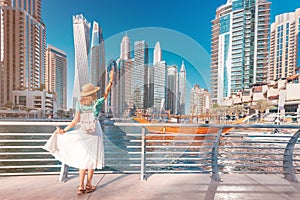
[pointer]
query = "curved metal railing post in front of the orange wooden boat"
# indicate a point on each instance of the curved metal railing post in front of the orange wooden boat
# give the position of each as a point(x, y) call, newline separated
point(214, 157)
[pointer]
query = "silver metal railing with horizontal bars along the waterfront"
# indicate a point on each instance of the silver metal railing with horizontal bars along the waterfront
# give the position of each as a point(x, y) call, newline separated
point(131, 148)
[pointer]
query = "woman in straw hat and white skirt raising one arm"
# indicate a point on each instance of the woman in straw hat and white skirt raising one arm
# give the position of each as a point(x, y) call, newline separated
point(83, 147)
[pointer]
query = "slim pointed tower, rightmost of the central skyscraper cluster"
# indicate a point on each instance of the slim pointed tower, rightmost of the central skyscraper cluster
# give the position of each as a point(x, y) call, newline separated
point(182, 89)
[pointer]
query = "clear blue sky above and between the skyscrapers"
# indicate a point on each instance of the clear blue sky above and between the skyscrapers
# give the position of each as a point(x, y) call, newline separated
point(183, 29)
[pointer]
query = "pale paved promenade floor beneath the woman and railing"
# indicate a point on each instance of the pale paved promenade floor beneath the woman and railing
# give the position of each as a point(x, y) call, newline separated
point(157, 187)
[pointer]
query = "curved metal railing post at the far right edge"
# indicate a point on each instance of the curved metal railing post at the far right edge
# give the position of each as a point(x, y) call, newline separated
point(288, 167)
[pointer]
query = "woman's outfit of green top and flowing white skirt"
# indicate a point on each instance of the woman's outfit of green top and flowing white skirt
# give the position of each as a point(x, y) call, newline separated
point(78, 149)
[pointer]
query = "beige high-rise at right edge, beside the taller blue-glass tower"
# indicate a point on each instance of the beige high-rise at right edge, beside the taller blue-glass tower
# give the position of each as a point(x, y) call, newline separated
point(284, 46)
